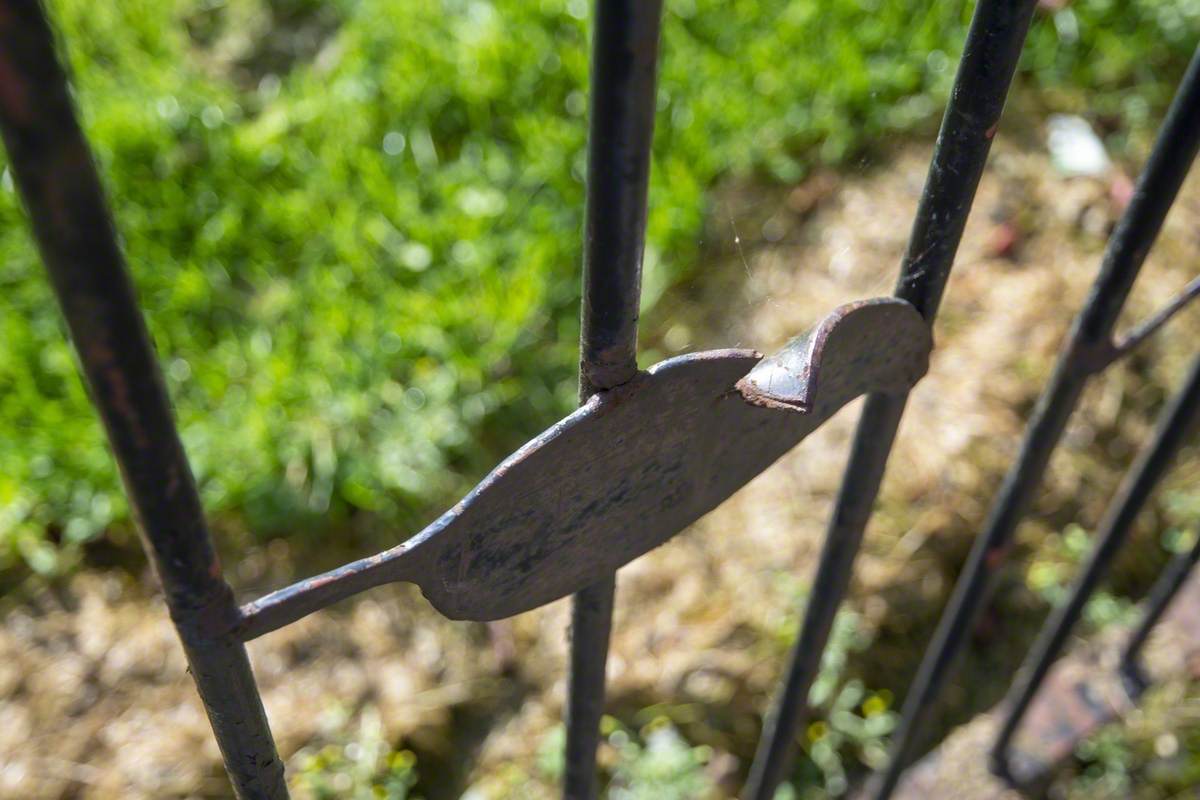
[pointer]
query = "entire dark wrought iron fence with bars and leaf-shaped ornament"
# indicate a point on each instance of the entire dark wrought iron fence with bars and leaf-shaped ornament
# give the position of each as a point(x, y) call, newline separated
point(649, 453)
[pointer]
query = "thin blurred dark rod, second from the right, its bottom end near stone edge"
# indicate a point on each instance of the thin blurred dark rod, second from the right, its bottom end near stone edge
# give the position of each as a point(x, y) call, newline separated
point(1175, 425)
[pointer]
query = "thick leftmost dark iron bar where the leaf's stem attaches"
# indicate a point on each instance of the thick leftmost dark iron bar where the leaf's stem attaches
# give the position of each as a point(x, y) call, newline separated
point(55, 172)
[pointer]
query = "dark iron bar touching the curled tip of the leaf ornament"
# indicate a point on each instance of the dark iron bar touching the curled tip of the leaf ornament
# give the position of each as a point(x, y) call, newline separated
point(973, 116)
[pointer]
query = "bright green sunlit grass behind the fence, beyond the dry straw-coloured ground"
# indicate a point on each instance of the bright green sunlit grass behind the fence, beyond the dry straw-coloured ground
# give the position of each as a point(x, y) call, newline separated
point(355, 225)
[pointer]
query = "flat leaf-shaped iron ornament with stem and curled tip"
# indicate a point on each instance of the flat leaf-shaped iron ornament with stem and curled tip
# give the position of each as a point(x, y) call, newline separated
point(627, 472)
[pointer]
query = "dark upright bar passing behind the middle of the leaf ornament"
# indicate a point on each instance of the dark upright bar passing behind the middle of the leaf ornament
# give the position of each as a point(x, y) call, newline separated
point(625, 70)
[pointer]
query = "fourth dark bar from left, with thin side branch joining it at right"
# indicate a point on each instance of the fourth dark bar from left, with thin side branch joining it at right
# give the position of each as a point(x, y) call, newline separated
point(1089, 346)
